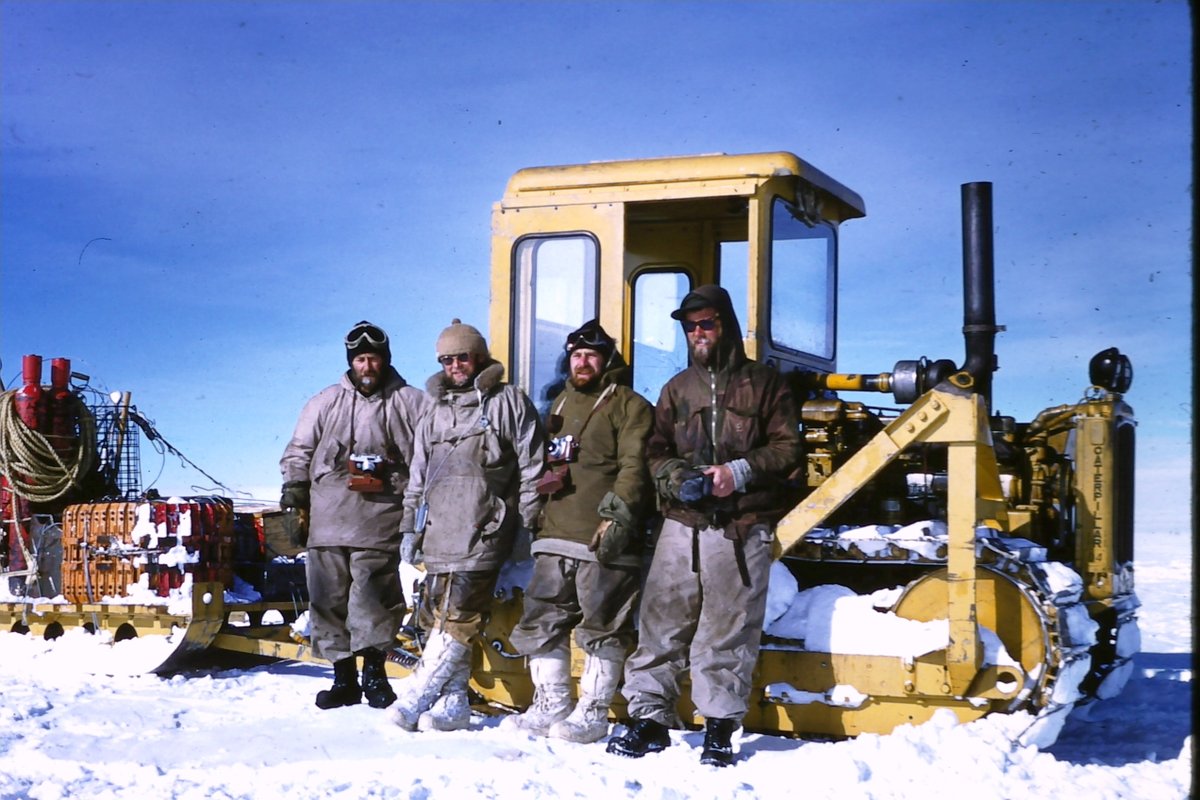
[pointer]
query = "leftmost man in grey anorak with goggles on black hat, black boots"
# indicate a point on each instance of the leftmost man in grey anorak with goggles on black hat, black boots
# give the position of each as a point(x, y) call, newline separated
point(347, 467)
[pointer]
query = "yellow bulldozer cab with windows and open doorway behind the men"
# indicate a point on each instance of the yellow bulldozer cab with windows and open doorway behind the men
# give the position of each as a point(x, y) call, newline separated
point(625, 242)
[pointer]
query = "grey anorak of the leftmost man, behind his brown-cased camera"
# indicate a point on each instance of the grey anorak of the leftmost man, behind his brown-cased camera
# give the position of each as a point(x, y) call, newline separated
point(340, 422)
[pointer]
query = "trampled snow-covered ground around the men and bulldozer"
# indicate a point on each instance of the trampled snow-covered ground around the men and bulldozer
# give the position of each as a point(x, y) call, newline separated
point(69, 732)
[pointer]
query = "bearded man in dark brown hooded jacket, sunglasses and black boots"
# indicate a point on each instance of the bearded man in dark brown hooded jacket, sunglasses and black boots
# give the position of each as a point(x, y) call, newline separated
point(723, 454)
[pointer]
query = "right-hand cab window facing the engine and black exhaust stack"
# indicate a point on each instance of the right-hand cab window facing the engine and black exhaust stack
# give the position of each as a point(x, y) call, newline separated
point(803, 278)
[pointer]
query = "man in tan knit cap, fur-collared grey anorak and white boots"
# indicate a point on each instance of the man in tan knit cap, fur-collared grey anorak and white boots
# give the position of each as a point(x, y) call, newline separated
point(478, 455)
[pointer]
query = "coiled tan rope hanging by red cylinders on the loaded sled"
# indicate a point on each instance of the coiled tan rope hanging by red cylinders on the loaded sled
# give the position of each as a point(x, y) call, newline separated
point(33, 468)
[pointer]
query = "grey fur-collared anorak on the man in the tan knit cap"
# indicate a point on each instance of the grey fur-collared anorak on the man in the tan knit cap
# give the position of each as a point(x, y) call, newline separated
point(477, 460)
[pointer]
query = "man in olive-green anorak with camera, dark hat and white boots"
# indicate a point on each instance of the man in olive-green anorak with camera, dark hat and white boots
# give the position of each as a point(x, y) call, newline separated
point(589, 552)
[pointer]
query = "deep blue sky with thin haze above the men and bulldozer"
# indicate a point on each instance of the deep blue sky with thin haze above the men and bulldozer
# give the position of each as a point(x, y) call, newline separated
point(199, 200)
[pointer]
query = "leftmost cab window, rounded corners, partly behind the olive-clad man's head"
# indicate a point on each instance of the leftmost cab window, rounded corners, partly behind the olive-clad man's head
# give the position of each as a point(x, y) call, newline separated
point(556, 293)
